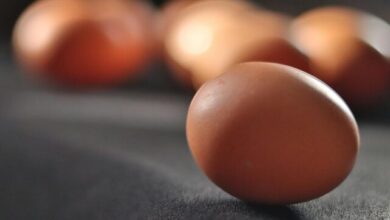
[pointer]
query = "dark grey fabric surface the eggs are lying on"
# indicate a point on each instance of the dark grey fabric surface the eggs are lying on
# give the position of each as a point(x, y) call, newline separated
point(122, 154)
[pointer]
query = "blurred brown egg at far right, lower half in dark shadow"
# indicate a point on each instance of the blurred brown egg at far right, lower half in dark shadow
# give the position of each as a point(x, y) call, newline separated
point(345, 47)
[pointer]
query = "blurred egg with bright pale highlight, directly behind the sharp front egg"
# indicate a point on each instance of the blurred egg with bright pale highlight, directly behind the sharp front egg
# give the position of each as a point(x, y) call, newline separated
point(211, 36)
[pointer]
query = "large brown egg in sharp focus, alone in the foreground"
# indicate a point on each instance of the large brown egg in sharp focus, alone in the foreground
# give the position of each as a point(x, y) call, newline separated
point(272, 134)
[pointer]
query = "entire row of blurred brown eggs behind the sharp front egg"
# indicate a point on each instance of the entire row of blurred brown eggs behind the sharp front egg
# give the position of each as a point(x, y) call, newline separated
point(103, 43)
